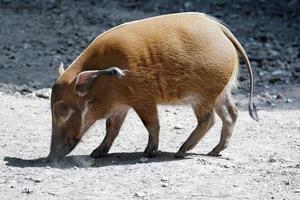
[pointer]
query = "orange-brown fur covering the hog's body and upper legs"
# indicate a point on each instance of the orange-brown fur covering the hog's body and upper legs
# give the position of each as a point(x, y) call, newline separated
point(167, 60)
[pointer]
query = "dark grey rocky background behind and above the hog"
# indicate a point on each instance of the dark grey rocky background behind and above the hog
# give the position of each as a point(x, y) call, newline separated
point(35, 36)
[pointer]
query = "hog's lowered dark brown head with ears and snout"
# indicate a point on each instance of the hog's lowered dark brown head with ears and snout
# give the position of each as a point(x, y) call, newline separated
point(72, 112)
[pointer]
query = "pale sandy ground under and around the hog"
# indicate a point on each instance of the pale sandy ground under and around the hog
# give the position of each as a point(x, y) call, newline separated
point(262, 161)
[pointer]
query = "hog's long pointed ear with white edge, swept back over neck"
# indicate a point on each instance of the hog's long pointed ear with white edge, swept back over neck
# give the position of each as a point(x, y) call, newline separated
point(86, 79)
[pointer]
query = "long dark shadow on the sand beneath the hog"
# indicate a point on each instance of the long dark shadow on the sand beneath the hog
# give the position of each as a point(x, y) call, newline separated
point(84, 161)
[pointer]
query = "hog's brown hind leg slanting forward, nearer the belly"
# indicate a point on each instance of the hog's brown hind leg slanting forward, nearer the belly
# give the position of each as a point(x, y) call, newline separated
point(206, 119)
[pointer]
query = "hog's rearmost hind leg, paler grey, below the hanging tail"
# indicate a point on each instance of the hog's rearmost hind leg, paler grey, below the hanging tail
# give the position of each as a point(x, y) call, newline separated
point(228, 112)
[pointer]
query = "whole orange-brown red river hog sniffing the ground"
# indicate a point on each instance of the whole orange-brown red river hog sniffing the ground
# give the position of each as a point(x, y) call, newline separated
point(184, 58)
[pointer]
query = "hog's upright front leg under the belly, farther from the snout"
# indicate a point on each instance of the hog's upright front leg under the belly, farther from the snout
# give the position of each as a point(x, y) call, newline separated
point(149, 117)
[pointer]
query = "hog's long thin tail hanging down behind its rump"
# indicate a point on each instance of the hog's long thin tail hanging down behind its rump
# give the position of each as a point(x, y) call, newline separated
point(242, 53)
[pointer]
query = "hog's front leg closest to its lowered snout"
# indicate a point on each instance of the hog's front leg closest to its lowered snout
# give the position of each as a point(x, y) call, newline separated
point(113, 126)
